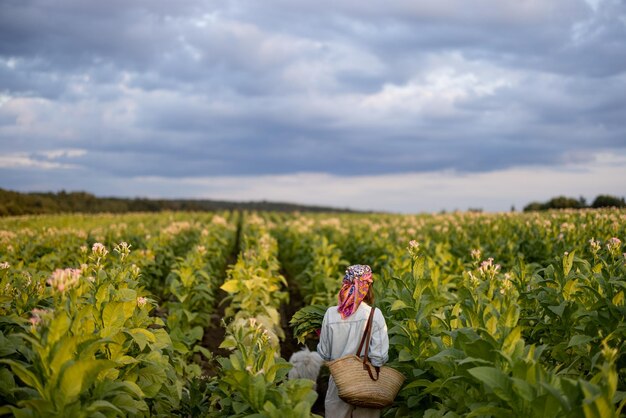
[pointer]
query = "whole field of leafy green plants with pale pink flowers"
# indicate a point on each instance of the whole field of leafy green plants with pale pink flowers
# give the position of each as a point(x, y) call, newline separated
point(188, 314)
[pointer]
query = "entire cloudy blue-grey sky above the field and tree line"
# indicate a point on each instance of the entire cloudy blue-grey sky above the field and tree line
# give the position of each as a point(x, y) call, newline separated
point(402, 106)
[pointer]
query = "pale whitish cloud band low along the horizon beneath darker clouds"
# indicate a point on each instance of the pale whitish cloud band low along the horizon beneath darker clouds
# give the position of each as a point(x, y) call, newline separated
point(404, 192)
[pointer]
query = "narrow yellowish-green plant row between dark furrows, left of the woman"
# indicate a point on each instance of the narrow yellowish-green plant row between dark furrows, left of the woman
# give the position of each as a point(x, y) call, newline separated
point(252, 380)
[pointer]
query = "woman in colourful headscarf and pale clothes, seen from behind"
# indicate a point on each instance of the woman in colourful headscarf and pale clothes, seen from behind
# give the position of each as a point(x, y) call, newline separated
point(342, 330)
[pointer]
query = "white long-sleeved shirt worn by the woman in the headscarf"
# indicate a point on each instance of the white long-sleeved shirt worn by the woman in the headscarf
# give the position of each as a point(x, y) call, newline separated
point(340, 337)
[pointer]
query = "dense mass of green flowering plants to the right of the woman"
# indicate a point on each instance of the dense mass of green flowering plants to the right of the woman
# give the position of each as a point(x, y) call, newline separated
point(499, 315)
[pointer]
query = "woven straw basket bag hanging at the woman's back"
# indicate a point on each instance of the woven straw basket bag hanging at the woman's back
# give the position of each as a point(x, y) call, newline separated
point(356, 387)
